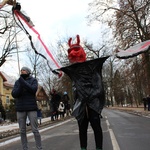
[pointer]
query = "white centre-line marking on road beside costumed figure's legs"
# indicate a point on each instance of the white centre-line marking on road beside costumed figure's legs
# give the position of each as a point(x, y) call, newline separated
point(113, 138)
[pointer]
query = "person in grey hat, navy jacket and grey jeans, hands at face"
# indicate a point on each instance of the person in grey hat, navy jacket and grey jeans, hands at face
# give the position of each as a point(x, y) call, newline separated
point(24, 92)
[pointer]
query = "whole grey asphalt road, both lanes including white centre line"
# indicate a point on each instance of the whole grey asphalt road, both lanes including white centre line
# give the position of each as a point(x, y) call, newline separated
point(121, 131)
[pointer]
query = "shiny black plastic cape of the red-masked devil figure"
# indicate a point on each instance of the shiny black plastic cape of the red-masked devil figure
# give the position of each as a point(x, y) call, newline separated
point(87, 79)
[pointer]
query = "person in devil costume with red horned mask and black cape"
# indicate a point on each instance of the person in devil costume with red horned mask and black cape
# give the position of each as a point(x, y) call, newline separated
point(89, 97)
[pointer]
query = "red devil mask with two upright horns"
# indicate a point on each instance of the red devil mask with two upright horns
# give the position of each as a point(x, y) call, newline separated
point(76, 52)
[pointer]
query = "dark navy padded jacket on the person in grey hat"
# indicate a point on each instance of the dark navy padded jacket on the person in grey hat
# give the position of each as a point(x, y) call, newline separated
point(24, 92)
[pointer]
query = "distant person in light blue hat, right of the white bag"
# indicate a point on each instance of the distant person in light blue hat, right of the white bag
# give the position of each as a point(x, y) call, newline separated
point(66, 99)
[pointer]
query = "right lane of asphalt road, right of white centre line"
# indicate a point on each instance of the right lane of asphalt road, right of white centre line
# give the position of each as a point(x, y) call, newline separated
point(132, 132)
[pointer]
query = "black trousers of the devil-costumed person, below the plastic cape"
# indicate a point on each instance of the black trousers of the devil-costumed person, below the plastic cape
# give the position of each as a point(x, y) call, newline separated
point(94, 118)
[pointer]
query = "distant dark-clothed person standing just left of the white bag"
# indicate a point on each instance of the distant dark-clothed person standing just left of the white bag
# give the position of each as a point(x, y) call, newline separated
point(54, 103)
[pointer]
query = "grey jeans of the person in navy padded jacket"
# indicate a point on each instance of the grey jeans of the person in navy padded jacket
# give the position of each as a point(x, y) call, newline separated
point(21, 117)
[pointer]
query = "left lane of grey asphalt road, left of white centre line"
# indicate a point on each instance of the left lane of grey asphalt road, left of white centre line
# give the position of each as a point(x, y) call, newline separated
point(62, 136)
